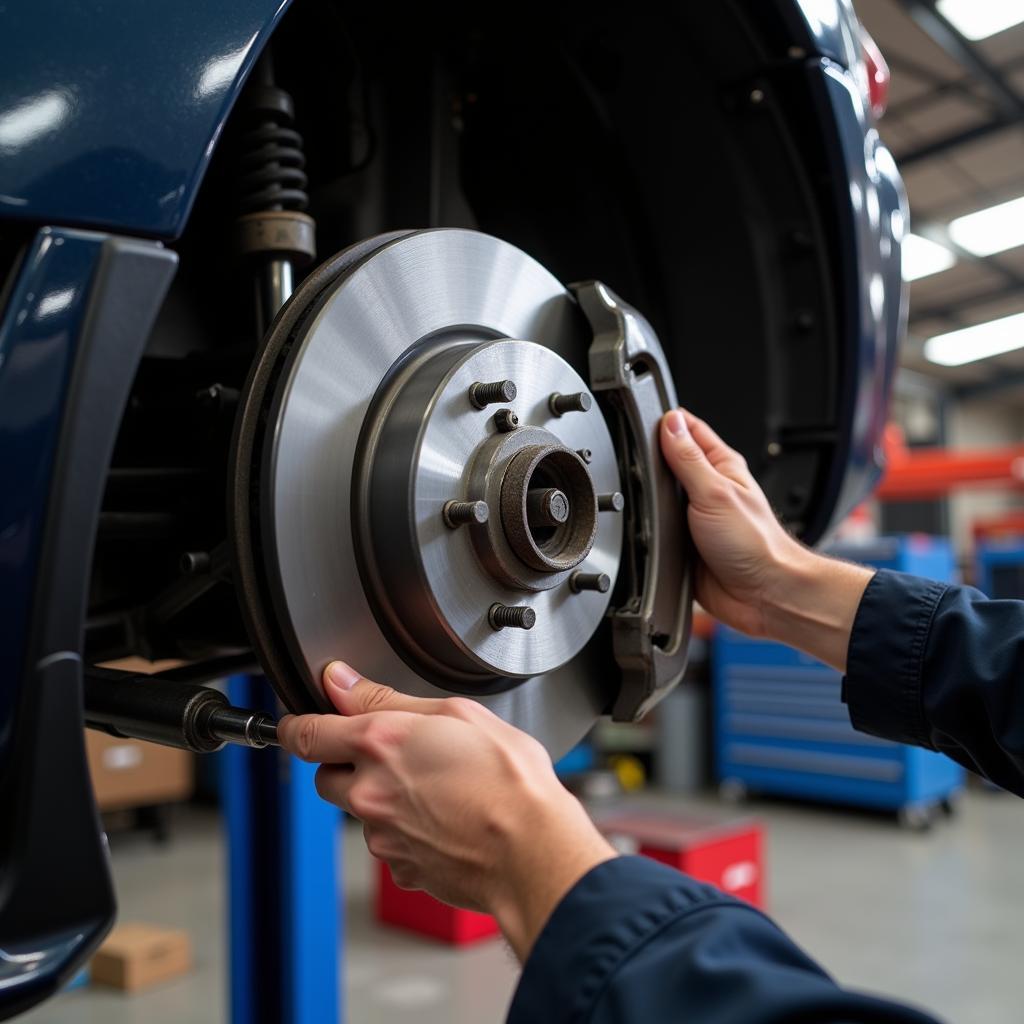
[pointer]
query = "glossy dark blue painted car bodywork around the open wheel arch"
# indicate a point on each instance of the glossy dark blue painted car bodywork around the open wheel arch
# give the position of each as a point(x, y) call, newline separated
point(108, 121)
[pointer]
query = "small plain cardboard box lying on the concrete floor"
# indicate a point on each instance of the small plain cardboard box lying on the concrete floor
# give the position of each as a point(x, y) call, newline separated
point(137, 957)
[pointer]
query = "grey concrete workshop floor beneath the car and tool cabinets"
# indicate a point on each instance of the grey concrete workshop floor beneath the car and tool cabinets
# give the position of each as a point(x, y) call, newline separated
point(932, 919)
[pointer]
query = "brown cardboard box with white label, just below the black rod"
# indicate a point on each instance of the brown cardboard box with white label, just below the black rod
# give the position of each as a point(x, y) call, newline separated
point(133, 774)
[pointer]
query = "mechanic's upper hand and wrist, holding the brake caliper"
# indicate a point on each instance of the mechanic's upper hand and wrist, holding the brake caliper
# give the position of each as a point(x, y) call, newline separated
point(752, 574)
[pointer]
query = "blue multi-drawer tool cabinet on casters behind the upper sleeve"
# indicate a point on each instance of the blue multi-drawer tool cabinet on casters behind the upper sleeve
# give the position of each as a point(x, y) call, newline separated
point(781, 727)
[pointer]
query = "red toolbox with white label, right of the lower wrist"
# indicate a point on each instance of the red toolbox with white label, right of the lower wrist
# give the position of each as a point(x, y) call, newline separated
point(729, 855)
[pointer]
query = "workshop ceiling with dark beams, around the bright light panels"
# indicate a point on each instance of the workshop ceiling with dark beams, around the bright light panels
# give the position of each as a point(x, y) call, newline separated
point(956, 124)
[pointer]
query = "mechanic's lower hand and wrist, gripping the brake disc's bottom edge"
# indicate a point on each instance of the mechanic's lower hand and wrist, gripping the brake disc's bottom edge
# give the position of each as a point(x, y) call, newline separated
point(455, 800)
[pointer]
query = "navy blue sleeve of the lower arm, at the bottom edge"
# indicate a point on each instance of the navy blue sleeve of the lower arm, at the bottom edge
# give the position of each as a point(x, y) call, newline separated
point(637, 942)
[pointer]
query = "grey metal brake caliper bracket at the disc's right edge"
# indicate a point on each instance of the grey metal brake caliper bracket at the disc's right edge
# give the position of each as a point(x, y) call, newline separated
point(652, 620)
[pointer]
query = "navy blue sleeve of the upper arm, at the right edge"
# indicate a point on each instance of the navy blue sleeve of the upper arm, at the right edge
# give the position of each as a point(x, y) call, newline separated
point(942, 667)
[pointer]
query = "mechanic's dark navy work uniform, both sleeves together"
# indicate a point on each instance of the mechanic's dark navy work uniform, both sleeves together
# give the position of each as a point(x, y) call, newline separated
point(635, 942)
